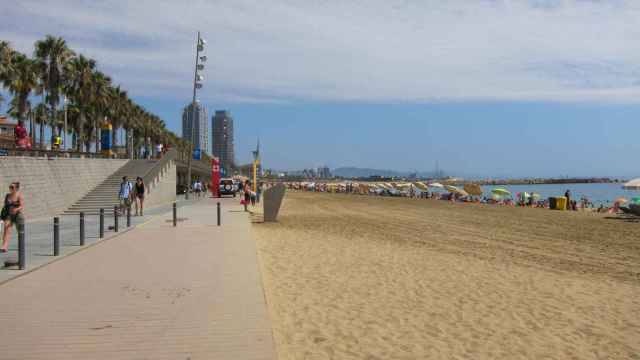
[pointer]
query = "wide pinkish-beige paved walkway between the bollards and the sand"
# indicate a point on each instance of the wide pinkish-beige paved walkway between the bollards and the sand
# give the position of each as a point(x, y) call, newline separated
point(155, 292)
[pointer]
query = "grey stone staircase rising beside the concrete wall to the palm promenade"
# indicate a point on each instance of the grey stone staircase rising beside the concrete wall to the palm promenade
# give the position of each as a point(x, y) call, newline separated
point(105, 195)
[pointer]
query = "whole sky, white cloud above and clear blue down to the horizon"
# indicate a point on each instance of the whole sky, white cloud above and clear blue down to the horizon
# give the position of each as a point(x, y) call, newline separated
point(491, 88)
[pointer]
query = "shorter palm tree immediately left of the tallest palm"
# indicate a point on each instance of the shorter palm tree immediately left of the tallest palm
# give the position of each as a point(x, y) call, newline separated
point(21, 82)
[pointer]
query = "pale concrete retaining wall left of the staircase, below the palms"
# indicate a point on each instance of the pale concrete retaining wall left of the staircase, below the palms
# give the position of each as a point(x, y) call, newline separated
point(52, 185)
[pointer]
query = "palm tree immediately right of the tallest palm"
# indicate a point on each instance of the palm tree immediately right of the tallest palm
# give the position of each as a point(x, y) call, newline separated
point(78, 85)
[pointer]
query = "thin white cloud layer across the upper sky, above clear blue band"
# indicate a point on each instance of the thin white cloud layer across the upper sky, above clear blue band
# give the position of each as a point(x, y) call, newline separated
point(373, 51)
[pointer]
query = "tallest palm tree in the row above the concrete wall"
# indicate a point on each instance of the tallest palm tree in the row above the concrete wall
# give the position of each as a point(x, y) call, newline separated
point(53, 56)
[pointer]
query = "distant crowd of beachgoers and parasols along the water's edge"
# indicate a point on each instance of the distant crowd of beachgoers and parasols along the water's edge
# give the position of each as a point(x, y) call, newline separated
point(468, 193)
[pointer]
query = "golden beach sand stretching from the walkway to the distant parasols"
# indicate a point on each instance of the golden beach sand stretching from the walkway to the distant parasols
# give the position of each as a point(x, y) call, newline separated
point(358, 277)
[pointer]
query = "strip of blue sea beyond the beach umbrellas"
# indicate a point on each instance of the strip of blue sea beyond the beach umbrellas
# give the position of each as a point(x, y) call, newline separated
point(598, 194)
